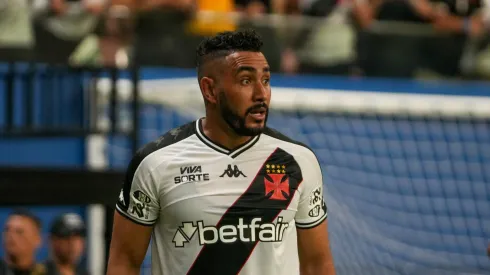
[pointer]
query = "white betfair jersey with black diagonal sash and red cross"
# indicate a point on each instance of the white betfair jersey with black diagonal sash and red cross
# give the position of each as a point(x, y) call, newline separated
point(217, 211)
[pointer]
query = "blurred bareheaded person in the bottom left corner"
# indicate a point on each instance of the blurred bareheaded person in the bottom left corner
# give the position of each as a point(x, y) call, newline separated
point(21, 240)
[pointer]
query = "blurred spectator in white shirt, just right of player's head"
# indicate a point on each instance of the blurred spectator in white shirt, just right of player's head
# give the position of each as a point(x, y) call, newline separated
point(329, 45)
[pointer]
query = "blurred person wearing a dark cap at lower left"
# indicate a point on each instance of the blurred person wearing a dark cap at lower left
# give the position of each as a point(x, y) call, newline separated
point(67, 243)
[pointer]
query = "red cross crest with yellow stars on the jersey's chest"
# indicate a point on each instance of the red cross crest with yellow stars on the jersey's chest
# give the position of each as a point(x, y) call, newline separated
point(276, 182)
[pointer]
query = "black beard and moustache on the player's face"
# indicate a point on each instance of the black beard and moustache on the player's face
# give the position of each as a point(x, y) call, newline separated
point(237, 122)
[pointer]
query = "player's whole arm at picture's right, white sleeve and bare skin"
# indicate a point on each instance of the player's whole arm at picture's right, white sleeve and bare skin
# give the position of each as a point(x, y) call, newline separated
point(315, 257)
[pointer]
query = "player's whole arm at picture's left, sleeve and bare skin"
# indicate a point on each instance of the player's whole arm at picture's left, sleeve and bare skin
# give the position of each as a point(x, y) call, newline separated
point(137, 211)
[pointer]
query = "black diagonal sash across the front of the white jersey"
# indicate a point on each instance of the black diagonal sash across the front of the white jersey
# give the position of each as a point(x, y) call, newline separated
point(229, 258)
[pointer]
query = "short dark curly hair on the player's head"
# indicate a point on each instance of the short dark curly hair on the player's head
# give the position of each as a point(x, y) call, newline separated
point(225, 43)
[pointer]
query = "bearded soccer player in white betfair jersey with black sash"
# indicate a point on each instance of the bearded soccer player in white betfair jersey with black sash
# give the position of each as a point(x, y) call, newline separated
point(224, 194)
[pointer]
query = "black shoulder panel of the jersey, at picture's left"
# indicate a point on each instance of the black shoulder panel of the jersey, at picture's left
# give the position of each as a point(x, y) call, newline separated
point(172, 137)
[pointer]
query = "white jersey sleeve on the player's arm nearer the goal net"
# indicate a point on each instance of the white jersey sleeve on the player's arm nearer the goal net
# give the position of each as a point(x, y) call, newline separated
point(312, 208)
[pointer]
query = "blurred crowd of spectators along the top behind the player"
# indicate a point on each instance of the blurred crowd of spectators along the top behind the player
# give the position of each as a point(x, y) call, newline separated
point(380, 38)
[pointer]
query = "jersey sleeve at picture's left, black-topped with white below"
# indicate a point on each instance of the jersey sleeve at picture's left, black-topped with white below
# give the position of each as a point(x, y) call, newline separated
point(139, 199)
